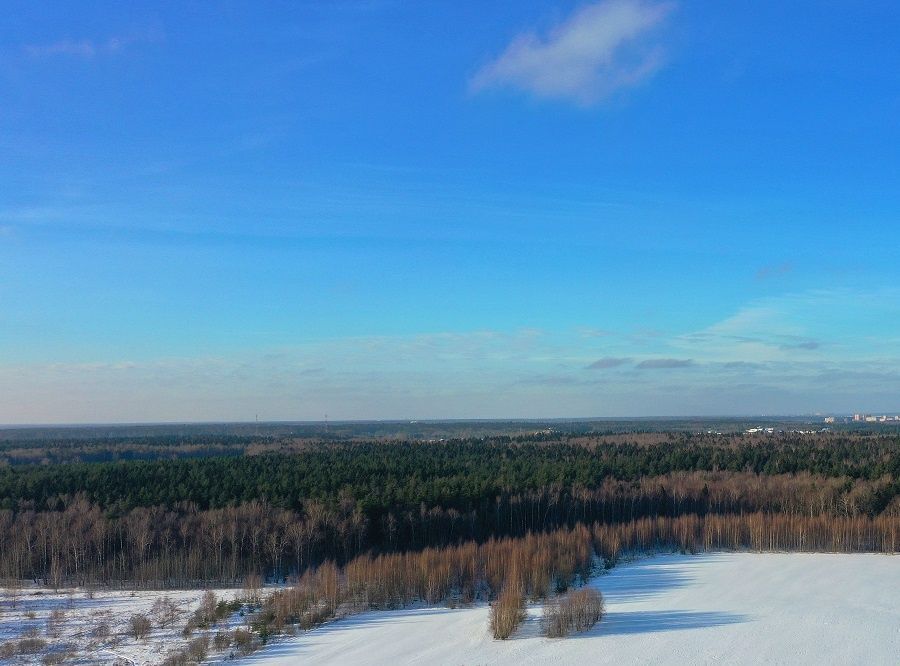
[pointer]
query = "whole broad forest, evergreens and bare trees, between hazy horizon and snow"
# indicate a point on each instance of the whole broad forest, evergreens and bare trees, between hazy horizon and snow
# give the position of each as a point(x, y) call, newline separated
point(279, 512)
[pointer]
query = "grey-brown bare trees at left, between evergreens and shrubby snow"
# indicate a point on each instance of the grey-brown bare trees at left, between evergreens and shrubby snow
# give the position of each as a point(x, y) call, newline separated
point(186, 546)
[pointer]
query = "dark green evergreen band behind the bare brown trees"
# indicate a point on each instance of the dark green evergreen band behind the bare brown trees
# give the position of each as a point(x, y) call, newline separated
point(463, 475)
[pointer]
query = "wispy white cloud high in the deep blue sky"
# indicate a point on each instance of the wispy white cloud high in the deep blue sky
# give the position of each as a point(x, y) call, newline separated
point(600, 49)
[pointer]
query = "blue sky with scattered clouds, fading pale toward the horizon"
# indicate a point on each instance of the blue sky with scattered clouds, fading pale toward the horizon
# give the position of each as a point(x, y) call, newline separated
point(426, 210)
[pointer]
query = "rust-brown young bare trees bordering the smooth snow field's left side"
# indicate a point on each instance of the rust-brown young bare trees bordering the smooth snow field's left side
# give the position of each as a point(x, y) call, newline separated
point(508, 571)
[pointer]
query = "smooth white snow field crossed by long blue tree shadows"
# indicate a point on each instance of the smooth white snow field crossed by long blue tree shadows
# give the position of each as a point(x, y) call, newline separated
point(734, 608)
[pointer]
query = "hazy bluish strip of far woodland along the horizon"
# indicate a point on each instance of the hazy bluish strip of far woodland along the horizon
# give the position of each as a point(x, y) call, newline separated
point(24, 446)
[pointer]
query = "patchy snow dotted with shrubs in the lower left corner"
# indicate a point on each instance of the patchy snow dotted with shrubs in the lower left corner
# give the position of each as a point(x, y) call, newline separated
point(85, 610)
